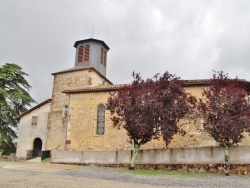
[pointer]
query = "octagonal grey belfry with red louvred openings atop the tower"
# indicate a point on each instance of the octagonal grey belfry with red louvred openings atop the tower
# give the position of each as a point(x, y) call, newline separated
point(92, 53)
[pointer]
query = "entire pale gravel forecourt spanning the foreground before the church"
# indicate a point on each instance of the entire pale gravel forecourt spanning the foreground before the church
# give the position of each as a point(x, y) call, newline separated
point(94, 177)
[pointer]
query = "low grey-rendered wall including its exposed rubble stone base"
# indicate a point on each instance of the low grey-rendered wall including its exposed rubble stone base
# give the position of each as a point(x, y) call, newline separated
point(204, 159)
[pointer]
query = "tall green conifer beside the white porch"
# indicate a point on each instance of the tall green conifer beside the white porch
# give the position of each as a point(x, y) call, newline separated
point(14, 100)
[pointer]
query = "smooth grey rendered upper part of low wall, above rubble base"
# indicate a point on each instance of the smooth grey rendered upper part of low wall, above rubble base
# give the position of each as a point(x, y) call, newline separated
point(202, 155)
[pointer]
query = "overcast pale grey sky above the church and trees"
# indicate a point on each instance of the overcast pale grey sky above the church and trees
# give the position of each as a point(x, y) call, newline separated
point(189, 38)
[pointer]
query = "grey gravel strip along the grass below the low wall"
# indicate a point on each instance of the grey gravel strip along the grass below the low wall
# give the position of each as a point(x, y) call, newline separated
point(194, 180)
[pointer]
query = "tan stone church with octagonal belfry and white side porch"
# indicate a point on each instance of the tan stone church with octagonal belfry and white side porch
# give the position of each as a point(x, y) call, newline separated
point(76, 119)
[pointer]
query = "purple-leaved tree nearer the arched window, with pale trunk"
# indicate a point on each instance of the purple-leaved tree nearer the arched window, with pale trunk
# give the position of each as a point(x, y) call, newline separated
point(148, 108)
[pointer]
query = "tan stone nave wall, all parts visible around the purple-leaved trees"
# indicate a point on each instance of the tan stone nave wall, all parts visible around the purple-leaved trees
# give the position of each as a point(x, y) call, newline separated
point(82, 134)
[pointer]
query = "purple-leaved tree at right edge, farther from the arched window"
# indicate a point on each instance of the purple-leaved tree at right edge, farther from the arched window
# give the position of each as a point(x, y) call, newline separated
point(226, 112)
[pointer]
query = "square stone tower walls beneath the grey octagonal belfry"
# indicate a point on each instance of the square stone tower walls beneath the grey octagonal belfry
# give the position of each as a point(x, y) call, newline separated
point(56, 125)
